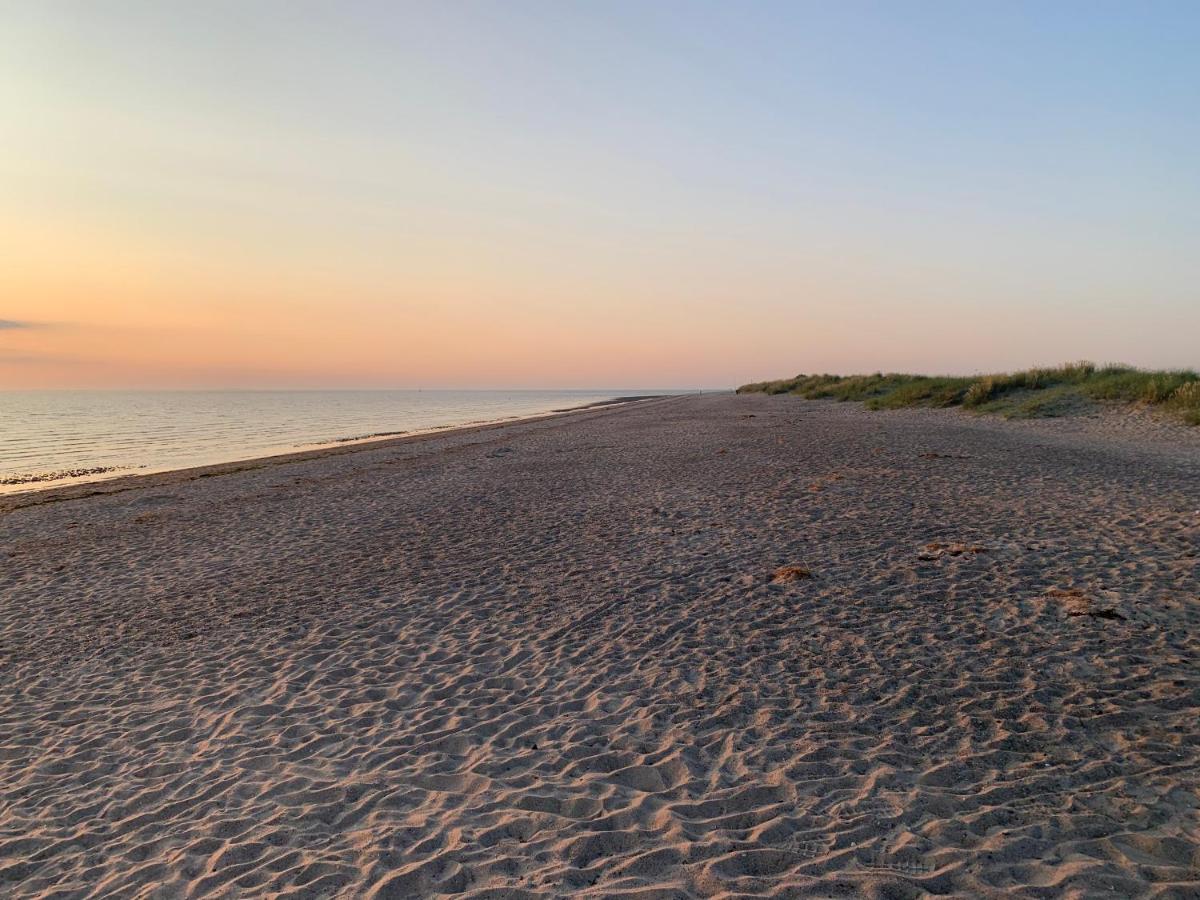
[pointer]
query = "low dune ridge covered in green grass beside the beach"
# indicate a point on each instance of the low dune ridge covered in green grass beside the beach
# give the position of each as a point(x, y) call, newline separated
point(1018, 395)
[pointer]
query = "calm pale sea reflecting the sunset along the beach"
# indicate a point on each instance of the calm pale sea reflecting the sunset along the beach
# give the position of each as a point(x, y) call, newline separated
point(51, 434)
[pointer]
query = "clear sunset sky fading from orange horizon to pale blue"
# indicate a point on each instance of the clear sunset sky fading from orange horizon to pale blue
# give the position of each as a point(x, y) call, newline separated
point(592, 195)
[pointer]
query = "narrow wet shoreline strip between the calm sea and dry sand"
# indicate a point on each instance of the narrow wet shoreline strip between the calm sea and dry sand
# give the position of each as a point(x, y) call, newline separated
point(130, 479)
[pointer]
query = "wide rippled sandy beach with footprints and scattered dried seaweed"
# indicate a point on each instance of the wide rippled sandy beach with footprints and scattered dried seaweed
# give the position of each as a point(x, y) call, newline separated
point(559, 658)
